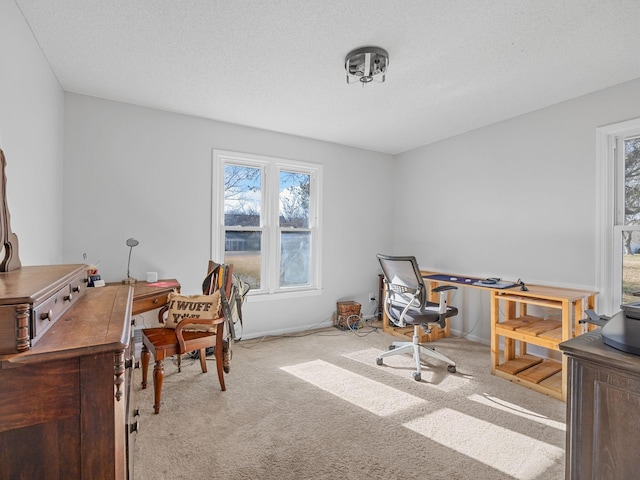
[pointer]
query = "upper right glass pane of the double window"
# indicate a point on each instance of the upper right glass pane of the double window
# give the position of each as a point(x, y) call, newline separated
point(294, 199)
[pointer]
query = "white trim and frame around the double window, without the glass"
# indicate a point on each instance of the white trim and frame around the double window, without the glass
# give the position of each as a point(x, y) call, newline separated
point(219, 158)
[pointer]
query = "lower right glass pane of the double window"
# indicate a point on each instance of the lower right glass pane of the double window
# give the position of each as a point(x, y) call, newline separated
point(295, 258)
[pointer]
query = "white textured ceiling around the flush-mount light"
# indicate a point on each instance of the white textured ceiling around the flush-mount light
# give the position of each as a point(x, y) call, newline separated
point(279, 64)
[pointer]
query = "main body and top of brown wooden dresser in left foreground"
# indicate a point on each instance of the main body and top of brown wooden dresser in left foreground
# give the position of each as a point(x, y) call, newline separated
point(65, 402)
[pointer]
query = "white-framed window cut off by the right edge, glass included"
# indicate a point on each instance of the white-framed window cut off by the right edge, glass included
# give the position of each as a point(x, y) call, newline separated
point(618, 215)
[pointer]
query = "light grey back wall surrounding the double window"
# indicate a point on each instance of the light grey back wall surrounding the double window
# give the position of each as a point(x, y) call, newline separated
point(143, 173)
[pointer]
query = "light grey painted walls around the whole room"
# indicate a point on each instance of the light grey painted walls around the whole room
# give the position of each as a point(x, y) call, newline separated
point(514, 199)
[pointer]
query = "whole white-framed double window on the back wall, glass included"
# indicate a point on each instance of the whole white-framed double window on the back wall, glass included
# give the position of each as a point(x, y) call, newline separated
point(266, 220)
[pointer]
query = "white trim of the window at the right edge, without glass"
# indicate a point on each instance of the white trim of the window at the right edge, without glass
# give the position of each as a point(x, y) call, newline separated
point(608, 265)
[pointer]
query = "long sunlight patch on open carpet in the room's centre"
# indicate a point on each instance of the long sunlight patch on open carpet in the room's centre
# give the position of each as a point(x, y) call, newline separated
point(363, 392)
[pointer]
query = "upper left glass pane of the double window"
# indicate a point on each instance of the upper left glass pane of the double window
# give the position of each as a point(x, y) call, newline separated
point(242, 196)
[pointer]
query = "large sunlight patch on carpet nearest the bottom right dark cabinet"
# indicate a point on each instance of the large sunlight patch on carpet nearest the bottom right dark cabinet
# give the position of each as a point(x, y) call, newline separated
point(518, 455)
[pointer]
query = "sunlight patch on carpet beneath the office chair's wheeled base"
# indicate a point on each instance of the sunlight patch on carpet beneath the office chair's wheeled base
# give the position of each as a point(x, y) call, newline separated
point(403, 366)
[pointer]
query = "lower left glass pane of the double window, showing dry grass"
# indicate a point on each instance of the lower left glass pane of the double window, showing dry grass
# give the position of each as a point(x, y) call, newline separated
point(243, 250)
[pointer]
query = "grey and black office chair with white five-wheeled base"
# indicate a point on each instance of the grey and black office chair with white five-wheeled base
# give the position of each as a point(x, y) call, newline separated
point(406, 303)
